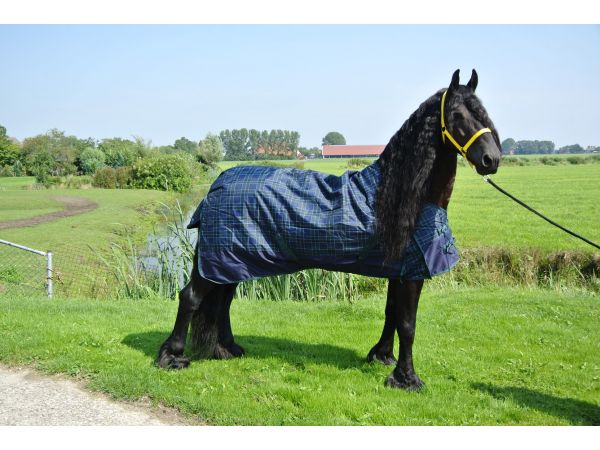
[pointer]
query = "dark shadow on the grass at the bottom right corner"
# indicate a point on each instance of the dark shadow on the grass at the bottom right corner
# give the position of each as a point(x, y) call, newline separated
point(577, 412)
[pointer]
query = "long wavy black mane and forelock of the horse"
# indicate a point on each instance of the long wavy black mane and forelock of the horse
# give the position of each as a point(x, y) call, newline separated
point(406, 167)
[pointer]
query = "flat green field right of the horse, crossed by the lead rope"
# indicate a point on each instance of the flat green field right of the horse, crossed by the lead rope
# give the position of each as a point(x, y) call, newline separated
point(569, 194)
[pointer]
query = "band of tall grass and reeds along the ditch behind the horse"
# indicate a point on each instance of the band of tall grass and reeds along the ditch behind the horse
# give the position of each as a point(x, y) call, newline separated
point(164, 266)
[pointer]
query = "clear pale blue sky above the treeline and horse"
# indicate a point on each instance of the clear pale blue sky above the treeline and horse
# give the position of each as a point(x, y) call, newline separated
point(165, 82)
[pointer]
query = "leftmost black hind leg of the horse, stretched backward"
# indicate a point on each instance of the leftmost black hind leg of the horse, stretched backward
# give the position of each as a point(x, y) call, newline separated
point(191, 297)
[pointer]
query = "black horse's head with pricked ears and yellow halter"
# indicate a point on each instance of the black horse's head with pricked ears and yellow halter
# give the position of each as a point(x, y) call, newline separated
point(467, 128)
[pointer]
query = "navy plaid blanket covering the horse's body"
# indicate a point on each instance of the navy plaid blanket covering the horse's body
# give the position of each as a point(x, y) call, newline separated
point(258, 221)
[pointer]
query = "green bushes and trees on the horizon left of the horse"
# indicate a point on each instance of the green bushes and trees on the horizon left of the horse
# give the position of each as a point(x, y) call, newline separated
point(55, 153)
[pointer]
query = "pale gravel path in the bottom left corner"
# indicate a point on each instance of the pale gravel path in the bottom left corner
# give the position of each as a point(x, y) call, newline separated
point(27, 398)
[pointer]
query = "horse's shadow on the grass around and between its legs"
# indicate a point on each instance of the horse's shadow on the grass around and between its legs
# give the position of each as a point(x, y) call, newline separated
point(292, 352)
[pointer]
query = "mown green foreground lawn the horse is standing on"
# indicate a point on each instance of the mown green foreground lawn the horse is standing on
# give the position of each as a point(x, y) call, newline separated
point(488, 357)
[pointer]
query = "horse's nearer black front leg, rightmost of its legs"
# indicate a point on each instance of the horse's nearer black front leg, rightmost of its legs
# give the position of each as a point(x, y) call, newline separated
point(406, 300)
